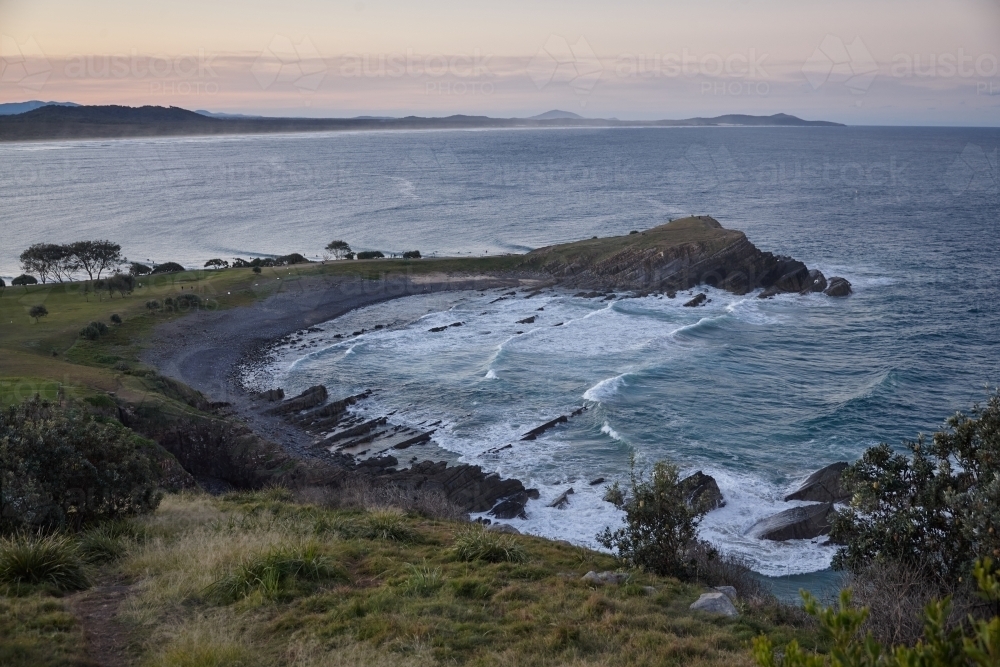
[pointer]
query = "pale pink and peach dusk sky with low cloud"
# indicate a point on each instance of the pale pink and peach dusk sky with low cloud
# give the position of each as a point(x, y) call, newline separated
point(884, 62)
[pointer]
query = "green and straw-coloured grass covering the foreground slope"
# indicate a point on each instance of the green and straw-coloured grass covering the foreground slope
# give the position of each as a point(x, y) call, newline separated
point(385, 588)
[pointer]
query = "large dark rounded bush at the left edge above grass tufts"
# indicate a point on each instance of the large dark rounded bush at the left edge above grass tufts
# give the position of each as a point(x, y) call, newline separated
point(62, 467)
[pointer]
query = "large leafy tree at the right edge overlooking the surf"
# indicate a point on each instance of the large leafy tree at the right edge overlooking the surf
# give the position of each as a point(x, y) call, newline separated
point(935, 510)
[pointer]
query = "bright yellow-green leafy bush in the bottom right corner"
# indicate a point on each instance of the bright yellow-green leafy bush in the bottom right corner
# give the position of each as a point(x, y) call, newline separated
point(976, 644)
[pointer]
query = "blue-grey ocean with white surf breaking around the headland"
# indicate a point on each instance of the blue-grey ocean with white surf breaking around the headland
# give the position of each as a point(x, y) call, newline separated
point(757, 393)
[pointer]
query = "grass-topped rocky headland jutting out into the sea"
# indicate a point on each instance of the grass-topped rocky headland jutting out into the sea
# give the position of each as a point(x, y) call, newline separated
point(679, 255)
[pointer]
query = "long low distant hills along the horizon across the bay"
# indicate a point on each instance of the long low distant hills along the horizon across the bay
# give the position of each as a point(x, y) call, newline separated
point(114, 121)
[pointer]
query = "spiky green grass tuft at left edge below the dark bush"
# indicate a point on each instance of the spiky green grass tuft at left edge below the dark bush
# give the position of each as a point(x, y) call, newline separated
point(33, 559)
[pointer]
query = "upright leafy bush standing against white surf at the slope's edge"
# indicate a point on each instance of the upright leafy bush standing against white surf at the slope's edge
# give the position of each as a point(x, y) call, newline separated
point(660, 527)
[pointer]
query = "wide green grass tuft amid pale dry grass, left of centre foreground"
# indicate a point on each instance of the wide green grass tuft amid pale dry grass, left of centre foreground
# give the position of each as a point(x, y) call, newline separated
point(272, 573)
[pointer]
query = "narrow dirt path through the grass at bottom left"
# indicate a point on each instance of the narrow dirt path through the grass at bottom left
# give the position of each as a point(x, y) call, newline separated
point(97, 610)
